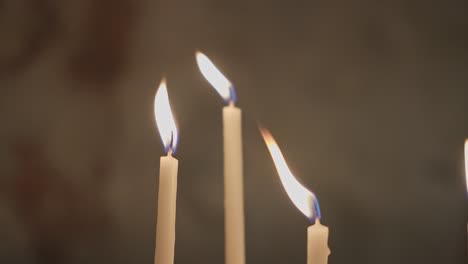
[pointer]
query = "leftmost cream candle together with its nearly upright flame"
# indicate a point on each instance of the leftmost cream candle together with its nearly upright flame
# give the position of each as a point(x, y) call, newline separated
point(165, 229)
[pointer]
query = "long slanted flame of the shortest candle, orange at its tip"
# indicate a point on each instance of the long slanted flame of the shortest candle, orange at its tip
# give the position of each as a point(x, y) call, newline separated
point(299, 195)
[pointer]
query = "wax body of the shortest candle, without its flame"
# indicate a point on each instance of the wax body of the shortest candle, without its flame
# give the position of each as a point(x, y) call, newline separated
point(317, 244)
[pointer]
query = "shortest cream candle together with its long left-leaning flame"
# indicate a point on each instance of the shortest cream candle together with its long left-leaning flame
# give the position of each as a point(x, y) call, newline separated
point(305, 201)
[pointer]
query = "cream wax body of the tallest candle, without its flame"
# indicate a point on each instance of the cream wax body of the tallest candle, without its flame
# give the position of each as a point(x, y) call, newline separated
point(233, 186)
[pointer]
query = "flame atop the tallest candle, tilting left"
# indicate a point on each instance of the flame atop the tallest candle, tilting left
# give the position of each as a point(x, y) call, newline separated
point(214, 76)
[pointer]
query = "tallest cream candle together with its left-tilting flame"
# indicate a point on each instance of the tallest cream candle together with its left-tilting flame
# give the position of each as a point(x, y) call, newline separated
point(233, 168)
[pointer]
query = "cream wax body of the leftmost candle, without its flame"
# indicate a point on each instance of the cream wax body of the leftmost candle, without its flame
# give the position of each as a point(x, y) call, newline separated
point(165, 229)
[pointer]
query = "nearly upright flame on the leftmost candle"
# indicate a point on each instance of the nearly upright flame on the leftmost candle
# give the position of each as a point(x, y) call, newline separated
point(164, 119)
